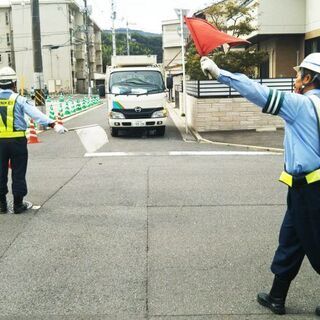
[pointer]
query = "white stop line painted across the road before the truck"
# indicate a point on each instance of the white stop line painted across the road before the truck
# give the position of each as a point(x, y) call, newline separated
point(180, 153)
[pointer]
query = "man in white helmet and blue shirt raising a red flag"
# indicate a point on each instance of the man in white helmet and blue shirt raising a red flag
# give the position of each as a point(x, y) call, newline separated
point(300, 230)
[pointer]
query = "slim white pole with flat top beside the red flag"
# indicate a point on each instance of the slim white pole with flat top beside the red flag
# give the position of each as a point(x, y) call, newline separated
point(181, 13)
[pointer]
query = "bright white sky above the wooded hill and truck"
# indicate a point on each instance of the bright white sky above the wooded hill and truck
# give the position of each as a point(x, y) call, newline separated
point(143, 15)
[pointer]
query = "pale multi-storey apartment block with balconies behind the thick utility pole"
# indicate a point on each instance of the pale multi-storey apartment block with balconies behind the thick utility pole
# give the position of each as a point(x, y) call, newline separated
point(63, 40)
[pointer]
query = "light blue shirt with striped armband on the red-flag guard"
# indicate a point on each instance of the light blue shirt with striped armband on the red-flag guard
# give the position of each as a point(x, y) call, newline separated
point(301, 140)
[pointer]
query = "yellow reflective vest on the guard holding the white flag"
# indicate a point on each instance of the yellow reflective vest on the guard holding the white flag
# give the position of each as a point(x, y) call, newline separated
point(7, 117)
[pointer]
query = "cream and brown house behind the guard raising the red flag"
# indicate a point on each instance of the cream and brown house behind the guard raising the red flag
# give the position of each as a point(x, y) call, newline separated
point(287, 29)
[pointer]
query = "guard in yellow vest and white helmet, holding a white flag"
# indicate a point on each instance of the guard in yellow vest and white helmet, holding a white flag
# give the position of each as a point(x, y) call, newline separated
point(13, 142)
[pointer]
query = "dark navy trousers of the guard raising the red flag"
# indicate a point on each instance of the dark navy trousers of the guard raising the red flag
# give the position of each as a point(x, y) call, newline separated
point(300, 232)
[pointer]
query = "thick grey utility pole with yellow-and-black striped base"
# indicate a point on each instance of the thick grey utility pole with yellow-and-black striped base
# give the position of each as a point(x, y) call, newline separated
point(37, 56)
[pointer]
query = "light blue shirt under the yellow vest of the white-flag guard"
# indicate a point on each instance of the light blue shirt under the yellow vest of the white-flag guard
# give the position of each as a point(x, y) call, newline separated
point(22, 107)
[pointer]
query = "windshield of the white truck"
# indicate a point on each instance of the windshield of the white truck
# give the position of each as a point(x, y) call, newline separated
point(136, 82)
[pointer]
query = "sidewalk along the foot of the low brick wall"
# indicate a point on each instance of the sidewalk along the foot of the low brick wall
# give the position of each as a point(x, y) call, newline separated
point(269, 139)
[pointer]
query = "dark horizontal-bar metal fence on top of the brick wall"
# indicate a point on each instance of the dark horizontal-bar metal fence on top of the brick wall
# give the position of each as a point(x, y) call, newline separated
point(214, 89)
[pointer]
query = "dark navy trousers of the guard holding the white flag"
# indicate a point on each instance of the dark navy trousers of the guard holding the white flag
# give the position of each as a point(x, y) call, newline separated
point(15, 150)
